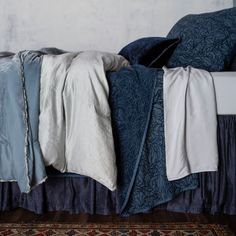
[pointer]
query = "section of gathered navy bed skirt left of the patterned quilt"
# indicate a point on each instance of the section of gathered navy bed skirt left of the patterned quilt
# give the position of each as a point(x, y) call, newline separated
point(73, 194)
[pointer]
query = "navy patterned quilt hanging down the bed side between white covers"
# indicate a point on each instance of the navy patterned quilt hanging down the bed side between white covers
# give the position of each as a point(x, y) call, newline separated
point(136, 100)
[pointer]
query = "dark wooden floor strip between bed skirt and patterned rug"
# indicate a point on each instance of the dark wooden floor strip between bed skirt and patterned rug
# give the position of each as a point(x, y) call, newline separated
point(23, 216)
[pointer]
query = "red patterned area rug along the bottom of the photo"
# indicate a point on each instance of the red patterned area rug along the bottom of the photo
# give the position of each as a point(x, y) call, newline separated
point(169, 229)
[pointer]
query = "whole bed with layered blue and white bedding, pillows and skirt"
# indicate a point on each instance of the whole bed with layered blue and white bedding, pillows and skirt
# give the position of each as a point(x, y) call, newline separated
point(152, 127)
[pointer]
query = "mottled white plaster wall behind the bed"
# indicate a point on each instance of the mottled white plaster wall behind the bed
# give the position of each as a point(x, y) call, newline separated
point(91, 24)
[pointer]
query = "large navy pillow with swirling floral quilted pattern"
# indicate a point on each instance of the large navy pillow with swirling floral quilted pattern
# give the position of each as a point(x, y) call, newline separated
point(208, 41)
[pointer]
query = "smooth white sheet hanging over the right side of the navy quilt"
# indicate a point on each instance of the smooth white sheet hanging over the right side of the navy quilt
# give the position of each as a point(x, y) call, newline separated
point(190, 118)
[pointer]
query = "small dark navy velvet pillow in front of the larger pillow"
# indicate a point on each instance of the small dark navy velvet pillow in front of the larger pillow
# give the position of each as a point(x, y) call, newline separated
point(150, 52)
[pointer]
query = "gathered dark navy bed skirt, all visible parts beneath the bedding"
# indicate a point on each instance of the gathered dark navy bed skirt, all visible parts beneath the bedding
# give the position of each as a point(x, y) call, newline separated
point(76, 194)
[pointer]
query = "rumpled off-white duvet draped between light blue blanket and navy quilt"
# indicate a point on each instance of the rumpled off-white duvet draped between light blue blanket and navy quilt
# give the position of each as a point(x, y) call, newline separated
point(75, 132)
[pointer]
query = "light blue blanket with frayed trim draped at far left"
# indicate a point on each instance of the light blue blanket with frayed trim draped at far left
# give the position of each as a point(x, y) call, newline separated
point(20, 155)
